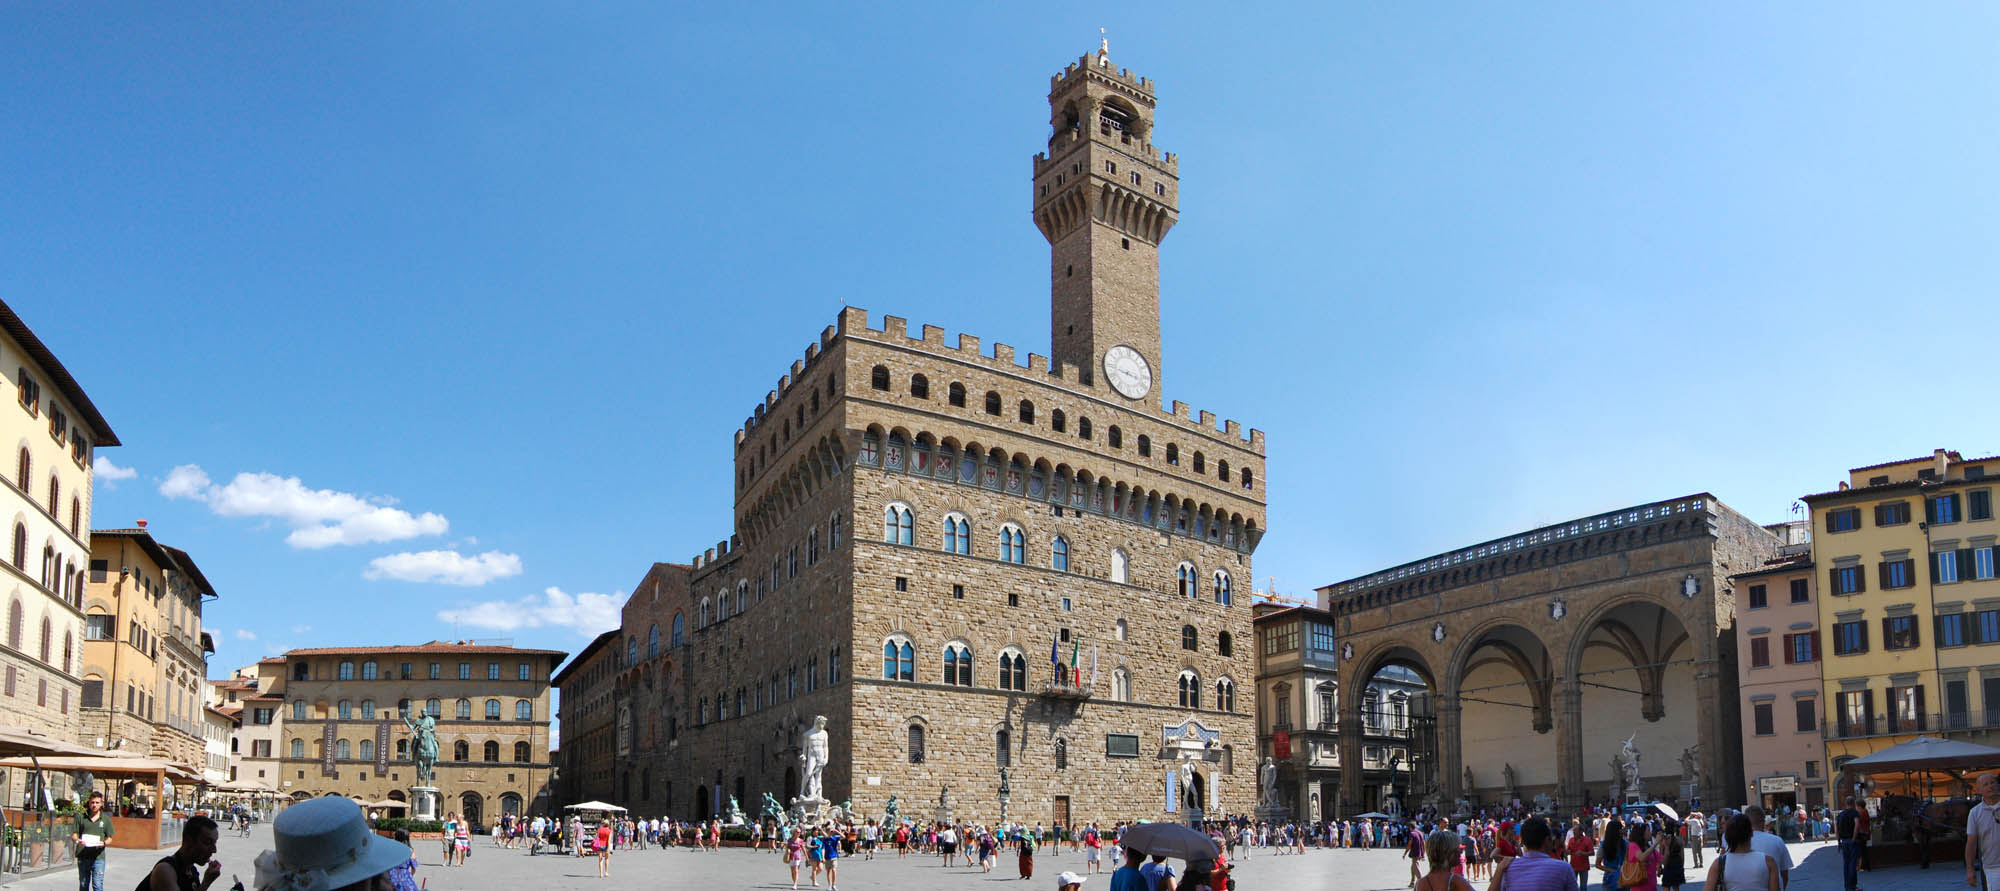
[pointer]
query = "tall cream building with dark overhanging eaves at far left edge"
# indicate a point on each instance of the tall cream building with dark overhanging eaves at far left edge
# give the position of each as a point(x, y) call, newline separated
point(55, 433)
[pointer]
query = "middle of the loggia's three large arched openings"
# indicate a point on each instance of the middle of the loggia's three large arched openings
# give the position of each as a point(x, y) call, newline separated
point(1503, 682)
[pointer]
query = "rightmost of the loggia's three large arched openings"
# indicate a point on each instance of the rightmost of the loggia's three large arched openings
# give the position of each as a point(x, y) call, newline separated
point(1635, 678)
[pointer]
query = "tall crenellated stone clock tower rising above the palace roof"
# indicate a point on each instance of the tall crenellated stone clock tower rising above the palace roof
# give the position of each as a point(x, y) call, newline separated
point(1105, 199)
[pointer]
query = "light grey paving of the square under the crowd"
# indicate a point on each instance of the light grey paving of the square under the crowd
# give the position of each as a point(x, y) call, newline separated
point(743, 870)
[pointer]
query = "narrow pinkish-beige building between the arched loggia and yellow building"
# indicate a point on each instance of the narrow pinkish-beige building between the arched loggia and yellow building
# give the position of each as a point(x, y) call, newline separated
point(1779, 676)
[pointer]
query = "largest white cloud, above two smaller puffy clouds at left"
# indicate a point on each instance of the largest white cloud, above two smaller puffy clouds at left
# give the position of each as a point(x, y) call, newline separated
point(319, 518)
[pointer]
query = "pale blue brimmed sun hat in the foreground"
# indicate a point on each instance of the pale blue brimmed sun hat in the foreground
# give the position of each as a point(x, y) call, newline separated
point(325, 844)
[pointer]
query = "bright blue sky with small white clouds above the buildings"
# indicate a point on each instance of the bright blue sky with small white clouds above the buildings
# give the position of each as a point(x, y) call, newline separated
point(455, 307)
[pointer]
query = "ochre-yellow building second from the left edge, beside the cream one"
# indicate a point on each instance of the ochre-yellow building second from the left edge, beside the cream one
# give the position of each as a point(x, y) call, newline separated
point(145, 650)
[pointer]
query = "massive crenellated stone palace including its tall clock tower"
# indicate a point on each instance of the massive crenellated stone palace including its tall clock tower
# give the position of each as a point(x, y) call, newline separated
point(969, 562)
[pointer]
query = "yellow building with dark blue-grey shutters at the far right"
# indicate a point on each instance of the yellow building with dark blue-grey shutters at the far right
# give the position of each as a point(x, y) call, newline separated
point(1909, 602)
